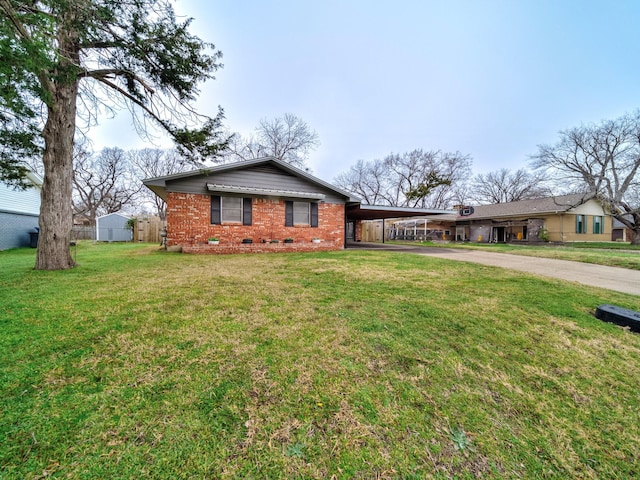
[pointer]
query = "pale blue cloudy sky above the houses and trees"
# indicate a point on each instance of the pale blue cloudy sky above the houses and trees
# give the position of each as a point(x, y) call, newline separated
point(491, 78)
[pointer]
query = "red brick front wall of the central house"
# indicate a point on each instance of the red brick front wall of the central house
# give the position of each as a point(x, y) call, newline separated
point(189, 226)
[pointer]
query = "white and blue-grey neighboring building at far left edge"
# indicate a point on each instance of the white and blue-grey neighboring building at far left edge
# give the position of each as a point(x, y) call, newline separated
point(19, 212)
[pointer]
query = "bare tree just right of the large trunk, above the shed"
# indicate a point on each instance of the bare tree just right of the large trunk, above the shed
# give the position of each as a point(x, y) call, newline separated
point(102, 183)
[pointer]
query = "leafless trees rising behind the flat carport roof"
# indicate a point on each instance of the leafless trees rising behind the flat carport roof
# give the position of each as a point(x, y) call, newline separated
point(424, 179)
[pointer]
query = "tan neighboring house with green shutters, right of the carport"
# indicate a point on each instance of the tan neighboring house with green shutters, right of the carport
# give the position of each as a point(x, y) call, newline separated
point(566, 218)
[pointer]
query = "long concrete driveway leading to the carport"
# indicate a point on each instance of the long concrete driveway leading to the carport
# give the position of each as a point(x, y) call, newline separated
point(611, 278)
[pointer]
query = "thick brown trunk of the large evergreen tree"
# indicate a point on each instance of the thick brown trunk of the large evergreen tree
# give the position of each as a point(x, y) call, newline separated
point(56, 211)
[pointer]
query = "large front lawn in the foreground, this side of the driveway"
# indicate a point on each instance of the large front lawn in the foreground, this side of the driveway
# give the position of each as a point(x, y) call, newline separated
point(350, 364)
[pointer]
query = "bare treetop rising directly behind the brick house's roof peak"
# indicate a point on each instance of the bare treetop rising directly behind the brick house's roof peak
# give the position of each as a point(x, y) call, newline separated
point(288, 138)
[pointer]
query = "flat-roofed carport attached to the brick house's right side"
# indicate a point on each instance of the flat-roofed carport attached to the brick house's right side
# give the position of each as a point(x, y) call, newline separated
point(356, 213)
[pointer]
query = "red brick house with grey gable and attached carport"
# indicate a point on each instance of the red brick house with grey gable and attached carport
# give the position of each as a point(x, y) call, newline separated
point(265, 201)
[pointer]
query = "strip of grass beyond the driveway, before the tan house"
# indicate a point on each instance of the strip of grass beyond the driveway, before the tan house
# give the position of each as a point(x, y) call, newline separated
point(613, 254)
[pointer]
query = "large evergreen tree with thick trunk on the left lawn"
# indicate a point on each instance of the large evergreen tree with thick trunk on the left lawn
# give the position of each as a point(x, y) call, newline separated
point(70, 60)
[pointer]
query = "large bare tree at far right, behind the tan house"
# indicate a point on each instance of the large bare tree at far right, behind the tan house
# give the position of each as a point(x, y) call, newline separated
point(604, 159)
